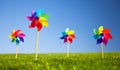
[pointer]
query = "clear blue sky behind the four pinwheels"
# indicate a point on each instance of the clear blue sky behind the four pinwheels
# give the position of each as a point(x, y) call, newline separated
point(80, 15)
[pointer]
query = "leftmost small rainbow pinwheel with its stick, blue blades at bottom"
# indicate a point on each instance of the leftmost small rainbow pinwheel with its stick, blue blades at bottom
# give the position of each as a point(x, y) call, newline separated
point(17, 36)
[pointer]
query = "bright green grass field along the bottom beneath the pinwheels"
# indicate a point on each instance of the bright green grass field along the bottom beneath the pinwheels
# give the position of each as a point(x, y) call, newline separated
point(76, 61)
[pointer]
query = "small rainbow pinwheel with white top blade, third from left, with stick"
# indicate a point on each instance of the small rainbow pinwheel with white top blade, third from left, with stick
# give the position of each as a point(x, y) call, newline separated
point(68, 37)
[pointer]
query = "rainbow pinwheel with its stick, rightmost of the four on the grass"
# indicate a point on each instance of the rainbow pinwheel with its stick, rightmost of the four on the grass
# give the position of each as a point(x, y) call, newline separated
point(102, 36)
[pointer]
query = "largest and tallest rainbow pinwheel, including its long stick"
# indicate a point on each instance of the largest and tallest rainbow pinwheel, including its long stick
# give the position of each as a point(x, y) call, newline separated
point(38, 19)
